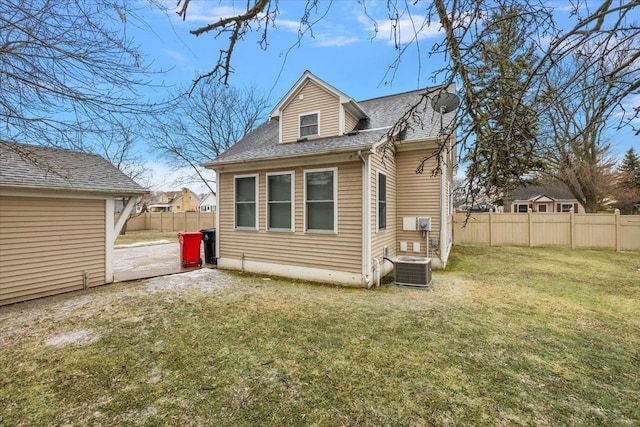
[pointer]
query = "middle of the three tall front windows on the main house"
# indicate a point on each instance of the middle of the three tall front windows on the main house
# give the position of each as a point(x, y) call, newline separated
point(280, 201)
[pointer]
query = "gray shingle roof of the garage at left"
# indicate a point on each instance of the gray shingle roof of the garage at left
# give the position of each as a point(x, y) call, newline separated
point(36, 167)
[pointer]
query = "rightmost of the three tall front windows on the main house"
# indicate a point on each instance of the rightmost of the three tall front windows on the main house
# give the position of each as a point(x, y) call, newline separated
point(320, 200)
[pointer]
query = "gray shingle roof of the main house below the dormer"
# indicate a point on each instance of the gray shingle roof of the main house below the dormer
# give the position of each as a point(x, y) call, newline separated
point(262, 143)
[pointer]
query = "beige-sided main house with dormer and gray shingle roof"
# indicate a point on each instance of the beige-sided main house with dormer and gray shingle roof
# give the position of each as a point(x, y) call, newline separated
point(313, 194)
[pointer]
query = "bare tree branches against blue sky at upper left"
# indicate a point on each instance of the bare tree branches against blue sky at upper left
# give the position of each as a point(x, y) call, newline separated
point(68, 70)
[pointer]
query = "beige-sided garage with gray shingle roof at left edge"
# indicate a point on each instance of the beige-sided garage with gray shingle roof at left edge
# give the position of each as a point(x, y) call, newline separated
point(57, 222)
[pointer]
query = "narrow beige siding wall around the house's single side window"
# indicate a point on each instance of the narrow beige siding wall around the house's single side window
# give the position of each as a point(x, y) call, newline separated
point(380, 239)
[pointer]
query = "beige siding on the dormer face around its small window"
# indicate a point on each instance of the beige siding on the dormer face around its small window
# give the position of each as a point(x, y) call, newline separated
point(314, 99)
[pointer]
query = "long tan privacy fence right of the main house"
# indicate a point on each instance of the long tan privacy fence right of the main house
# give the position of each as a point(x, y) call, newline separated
point(577, 231)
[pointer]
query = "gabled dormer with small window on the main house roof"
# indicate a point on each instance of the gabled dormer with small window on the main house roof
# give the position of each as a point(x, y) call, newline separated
point(314, 109)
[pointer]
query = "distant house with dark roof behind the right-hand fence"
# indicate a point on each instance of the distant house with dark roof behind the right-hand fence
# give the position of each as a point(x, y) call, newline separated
point(543, 199)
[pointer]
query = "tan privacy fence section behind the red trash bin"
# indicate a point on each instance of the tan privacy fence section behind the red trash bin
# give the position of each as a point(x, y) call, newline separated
point(172, 221)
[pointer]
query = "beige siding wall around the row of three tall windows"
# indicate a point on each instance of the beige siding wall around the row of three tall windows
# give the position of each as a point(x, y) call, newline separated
point(341, 251)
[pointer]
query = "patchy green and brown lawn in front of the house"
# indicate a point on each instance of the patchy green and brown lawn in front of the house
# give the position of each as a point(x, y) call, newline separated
point(507, 336)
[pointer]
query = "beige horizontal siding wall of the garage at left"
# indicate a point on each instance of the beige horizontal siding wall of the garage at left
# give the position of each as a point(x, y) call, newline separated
point(46, 244)
